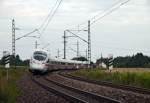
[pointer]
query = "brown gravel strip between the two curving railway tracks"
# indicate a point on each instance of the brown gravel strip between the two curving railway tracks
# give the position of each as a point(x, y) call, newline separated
point(118, 94)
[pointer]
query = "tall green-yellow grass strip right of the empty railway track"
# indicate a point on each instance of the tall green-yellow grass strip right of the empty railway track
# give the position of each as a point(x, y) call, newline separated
point(137, 78)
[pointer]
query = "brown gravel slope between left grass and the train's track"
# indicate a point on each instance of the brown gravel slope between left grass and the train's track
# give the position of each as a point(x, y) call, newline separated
point(32, 93)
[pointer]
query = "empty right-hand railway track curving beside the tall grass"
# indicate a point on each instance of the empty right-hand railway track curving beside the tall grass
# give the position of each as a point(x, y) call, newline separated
point(109, 84)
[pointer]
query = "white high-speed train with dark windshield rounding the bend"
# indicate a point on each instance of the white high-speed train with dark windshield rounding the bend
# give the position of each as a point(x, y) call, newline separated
point(42, 62)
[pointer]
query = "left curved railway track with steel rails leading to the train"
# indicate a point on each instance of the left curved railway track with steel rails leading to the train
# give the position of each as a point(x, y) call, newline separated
point(71, 94)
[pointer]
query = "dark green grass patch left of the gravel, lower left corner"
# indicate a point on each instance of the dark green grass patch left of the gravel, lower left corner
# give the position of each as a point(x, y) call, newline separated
point(9, 90)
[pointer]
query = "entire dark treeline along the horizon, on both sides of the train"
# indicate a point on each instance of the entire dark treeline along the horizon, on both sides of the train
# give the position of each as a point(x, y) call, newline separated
point(139, 60)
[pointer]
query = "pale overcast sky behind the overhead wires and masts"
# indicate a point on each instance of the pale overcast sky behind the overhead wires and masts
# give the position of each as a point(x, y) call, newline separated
point(123, 32)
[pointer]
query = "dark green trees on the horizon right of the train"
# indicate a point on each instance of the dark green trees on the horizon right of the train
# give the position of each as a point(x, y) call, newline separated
point(139, 60)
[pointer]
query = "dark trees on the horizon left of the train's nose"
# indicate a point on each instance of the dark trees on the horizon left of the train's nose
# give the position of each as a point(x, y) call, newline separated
point(15, 61)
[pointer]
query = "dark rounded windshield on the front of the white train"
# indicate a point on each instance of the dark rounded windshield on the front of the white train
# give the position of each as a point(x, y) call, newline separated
point(41, 56)
